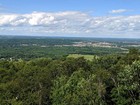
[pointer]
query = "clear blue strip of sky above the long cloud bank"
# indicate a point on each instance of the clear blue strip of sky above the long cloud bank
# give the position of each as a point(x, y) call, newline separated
point(98, 7)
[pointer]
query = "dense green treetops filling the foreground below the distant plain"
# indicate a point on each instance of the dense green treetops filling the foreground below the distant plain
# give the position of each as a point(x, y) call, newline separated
point(106, 80)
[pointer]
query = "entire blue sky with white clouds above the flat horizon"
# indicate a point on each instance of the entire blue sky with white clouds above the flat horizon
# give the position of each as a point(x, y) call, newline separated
point(71, 18)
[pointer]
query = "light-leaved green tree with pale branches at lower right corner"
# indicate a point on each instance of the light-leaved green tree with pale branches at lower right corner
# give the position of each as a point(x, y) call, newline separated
point(127, 91)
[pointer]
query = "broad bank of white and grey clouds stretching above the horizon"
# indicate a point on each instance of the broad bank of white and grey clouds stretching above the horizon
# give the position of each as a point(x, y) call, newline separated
point(70, 22)
